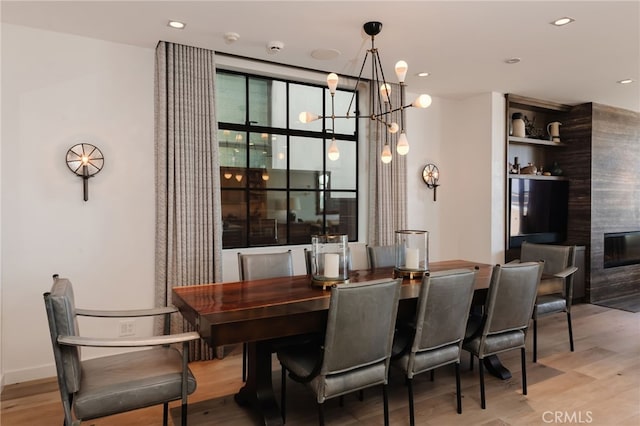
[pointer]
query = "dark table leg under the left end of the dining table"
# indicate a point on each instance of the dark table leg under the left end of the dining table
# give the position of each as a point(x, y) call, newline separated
point(257, 393)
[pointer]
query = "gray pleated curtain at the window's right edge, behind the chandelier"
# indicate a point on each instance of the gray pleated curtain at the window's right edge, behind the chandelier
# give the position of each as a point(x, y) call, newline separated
point(387, 182)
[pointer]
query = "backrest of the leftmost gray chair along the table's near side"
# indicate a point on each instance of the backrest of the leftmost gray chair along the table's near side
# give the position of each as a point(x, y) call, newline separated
point(360, 325)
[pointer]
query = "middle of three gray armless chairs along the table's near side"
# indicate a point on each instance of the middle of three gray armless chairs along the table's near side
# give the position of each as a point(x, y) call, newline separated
point(436, 338)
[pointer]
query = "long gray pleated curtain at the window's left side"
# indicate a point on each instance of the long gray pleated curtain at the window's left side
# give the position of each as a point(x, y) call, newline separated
point(188, 207)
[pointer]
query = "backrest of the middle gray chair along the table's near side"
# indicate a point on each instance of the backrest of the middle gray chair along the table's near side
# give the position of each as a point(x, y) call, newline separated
point(443, 309)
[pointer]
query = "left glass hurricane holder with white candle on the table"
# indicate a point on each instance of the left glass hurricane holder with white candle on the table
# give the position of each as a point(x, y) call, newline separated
point(329, 260)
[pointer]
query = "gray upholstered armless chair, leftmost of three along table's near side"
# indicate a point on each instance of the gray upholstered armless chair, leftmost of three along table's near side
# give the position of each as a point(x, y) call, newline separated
point(357, 344)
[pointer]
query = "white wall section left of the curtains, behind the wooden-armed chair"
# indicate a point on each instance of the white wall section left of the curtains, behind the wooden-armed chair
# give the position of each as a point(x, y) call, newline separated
point(59, 90)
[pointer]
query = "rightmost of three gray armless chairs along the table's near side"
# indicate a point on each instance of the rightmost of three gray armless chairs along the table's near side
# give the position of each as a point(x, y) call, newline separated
point(508, 309)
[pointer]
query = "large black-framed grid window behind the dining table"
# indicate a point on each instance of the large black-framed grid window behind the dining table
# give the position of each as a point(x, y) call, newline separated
point(278, 186)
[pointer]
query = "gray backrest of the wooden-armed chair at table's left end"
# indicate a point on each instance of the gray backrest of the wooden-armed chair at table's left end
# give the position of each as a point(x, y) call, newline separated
point(60, 306)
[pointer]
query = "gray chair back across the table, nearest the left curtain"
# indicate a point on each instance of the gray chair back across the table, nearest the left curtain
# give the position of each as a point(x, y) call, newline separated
point(256, 266)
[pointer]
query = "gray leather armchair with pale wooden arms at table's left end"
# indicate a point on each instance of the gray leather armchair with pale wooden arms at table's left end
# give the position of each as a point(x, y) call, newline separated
point(113, 384)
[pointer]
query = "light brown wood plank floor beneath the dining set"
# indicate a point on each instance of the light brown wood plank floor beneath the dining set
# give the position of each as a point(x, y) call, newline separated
point(598, 384)
